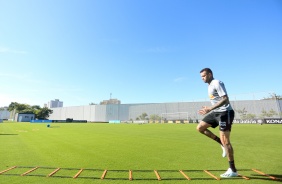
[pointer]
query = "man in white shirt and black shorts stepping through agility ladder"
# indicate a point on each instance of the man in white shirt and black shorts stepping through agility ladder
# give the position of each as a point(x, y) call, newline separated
point(220, 113)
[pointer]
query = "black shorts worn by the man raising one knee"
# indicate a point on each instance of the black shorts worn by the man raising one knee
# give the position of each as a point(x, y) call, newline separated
point(223, 119)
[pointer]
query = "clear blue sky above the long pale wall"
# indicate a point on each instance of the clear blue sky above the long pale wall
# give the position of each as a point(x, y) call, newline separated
point(141, 51)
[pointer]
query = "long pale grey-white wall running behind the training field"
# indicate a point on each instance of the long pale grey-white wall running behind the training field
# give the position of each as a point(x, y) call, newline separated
point(170, 111)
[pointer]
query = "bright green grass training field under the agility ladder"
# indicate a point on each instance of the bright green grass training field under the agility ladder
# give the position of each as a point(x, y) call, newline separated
point(119, 148)
